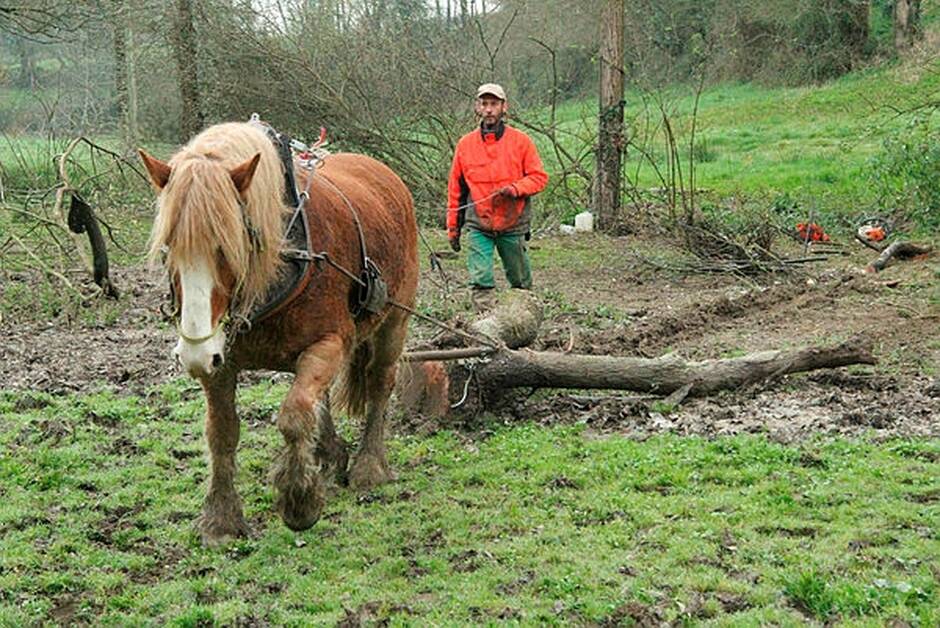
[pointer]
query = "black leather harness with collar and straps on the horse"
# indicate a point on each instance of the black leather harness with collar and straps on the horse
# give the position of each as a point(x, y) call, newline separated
point(370, 291)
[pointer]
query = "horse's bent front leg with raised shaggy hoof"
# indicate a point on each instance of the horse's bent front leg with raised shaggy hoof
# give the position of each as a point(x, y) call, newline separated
point(300, 494)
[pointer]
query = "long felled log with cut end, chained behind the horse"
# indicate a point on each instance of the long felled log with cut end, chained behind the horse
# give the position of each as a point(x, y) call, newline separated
point(481, 383)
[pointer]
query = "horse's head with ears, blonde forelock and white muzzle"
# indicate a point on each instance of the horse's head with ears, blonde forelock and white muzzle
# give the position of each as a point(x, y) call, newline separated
point(201, 232)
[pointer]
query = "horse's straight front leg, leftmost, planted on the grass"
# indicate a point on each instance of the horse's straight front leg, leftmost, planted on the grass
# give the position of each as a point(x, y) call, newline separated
point(221, 518)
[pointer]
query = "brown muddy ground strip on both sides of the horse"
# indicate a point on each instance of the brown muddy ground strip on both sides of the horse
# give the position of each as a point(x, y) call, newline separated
point(621, 308)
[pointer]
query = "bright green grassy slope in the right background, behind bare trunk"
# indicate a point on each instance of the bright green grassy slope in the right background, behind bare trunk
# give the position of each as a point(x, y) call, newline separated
point(813, 143)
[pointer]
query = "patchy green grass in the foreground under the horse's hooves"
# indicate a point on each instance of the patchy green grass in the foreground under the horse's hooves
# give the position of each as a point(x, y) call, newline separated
point(519, 523)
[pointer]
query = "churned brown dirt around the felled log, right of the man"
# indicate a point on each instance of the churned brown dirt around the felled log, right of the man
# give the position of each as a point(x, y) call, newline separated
point(896, 311)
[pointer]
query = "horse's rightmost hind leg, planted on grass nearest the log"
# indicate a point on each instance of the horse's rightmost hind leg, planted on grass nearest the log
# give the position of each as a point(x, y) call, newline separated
point(370, 467)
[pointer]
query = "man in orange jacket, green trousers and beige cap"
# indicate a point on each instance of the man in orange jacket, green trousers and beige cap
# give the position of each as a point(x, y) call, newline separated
point(496, 170)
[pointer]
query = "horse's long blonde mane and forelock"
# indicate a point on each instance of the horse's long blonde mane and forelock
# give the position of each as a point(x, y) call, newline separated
point(199, 215)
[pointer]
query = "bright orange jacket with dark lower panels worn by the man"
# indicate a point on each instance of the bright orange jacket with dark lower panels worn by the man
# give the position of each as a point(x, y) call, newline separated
point(484, 163)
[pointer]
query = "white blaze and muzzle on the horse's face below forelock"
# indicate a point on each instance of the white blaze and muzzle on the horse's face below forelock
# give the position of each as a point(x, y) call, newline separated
point(196, 320)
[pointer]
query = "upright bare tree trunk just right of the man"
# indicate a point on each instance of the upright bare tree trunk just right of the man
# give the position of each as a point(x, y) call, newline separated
point(610, 139)
